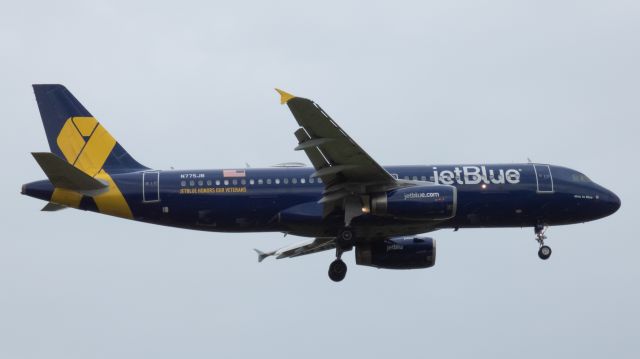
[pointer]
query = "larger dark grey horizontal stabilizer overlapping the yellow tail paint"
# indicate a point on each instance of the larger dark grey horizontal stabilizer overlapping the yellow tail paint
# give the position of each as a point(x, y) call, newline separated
point(66, 176)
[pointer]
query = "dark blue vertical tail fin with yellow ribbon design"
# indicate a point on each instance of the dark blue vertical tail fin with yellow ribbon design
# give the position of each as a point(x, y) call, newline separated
point(75, 135)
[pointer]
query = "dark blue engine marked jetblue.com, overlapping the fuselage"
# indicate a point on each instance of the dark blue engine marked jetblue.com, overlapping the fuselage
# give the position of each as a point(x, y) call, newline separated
point(436, 202)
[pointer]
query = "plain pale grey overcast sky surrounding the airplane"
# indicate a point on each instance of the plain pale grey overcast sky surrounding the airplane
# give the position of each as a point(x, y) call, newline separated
point(190, 85)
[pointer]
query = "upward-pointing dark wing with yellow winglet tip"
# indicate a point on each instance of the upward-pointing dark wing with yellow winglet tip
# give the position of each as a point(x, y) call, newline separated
point(336, 157)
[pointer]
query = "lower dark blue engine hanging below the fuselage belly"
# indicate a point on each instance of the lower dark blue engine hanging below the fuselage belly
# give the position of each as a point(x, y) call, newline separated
point(398, 253)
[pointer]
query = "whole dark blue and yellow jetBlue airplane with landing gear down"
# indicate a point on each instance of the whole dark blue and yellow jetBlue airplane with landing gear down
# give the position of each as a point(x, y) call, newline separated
point(347, 201)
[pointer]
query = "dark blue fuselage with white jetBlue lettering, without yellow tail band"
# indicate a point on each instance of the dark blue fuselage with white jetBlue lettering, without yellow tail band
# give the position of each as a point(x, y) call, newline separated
point(286, 199)
